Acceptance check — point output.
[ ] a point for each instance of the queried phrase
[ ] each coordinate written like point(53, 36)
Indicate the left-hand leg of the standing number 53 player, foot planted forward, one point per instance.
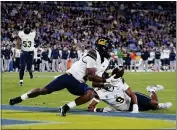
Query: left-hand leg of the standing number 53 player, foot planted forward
point(22, 66)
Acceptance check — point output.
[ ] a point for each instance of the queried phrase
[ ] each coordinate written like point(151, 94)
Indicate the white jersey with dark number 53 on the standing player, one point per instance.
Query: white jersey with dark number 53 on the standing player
point(27, 40)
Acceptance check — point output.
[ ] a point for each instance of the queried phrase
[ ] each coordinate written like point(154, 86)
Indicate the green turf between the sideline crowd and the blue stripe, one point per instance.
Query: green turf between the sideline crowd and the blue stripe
point(137, 81)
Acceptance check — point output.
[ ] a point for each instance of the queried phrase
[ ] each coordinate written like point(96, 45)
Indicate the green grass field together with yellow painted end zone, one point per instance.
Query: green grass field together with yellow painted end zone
point(50, 120)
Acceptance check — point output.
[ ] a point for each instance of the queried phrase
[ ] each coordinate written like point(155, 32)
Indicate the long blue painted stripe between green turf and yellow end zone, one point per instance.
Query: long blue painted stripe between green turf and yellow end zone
point(84, 112)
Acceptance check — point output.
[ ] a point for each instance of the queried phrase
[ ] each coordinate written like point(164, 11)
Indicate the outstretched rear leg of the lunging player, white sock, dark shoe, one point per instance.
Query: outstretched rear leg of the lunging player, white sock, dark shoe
point(57, 84)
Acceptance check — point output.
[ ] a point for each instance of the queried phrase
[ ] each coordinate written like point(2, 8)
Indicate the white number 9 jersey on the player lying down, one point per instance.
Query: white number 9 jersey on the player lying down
point(116, 98)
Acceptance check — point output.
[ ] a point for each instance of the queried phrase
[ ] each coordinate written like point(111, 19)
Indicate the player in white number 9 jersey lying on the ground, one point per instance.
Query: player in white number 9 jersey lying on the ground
point(119, 97)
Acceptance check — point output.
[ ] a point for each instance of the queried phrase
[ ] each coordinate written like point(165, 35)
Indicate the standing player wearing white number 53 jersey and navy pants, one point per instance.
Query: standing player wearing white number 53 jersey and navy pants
point(25, 39)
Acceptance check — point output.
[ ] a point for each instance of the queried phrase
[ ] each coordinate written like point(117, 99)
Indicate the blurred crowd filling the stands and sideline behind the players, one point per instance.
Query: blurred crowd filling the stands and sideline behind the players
point(134, 27)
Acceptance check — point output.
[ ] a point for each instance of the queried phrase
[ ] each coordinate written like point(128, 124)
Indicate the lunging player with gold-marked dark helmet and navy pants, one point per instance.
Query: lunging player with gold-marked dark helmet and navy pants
point(74, 79)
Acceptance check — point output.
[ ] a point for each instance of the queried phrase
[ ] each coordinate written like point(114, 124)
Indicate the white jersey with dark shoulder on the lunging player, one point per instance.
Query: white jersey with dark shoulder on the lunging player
point(78, 69)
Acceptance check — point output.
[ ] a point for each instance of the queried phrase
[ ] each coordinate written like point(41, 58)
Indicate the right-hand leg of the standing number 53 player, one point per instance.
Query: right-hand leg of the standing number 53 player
point(30, 63)
